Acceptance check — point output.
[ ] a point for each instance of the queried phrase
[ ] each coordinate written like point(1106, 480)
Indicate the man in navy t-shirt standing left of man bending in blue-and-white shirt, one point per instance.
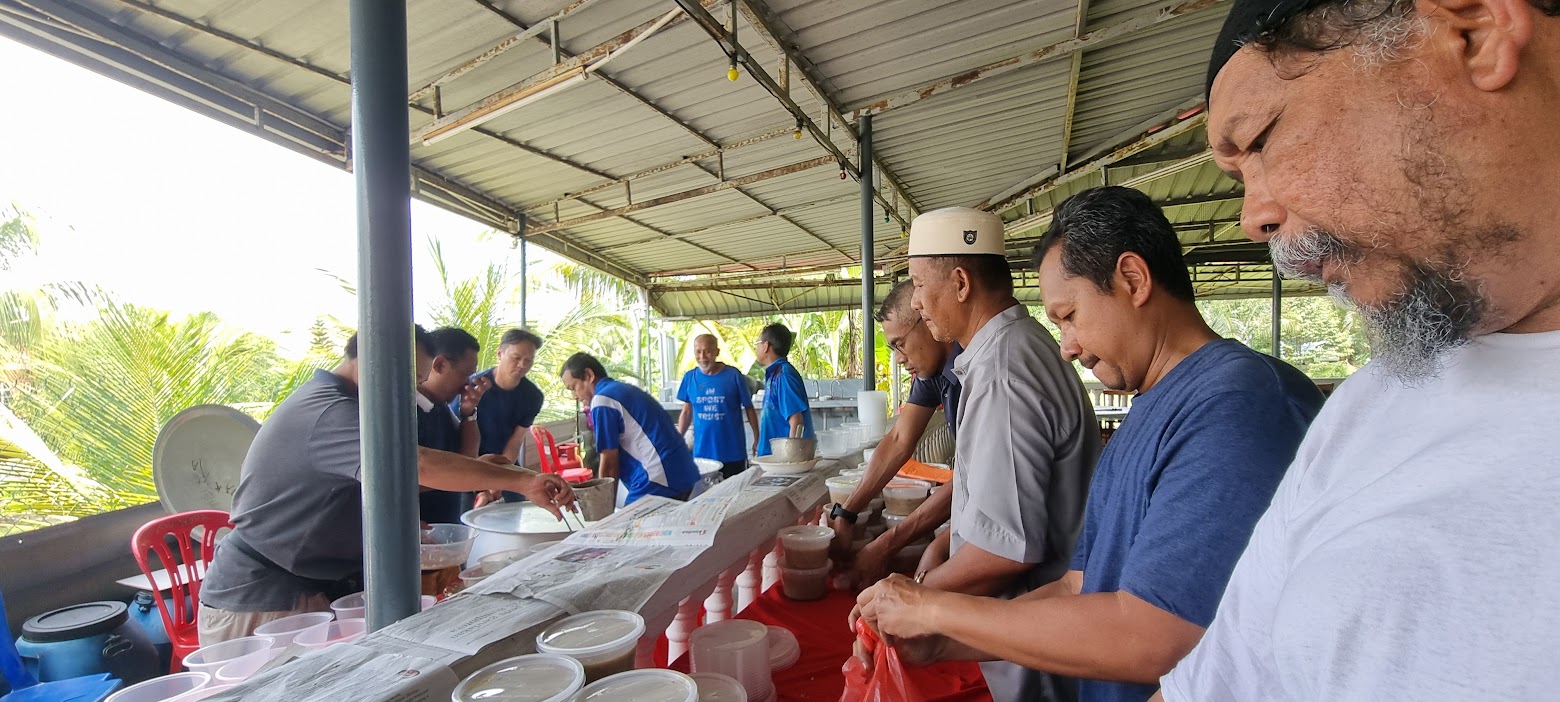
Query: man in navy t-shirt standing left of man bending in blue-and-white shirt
point(511, 403)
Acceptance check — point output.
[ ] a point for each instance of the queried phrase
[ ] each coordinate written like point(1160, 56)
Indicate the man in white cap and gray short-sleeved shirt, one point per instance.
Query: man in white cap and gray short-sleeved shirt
point(1027, 436)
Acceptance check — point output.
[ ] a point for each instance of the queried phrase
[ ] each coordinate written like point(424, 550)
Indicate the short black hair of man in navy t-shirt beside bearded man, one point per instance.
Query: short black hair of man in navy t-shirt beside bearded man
point(1096, 227)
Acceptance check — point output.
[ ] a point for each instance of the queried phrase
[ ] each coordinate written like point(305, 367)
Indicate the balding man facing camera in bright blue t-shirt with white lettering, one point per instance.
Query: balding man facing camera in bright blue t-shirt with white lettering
point(715, 399)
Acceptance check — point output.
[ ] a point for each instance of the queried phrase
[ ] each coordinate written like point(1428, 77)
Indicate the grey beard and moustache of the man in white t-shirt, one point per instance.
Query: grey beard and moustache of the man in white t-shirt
point(1414, 331)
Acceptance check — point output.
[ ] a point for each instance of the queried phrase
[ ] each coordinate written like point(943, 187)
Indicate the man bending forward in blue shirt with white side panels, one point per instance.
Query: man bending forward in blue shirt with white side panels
point(636, 438)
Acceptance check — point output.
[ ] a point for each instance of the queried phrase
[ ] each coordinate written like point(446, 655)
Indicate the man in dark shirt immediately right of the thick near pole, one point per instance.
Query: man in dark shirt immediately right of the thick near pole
point(447, 408)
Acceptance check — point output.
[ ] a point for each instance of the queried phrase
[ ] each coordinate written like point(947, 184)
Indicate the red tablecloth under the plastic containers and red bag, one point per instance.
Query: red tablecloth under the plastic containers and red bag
point(826, 645)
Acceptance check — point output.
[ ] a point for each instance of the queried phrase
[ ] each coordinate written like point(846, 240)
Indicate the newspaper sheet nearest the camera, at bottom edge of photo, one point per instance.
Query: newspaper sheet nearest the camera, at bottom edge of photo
point(349, 672)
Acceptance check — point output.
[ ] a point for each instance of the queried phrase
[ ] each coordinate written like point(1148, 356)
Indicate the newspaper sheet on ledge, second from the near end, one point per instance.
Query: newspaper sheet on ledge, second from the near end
point(470, 622)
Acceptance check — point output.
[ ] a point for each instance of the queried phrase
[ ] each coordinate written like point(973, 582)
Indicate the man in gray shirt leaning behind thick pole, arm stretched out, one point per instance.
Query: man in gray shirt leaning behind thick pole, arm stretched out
point(299, 512)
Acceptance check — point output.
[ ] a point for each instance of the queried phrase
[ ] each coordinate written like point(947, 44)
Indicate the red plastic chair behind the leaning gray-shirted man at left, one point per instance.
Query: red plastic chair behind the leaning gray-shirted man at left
point(183, 575)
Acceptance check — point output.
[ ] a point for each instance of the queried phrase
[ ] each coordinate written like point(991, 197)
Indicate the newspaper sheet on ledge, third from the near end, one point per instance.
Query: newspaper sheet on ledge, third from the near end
point(584, 578)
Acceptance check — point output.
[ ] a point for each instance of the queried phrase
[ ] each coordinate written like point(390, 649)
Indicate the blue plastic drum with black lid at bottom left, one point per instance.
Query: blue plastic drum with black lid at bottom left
point(85, 640)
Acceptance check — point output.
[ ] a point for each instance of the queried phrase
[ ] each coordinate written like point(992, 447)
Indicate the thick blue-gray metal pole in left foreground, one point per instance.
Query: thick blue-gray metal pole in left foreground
point(385, 308)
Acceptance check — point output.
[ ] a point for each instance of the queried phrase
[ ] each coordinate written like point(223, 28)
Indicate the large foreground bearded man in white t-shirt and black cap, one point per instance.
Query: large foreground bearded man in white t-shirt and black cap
point(1408, 155)
